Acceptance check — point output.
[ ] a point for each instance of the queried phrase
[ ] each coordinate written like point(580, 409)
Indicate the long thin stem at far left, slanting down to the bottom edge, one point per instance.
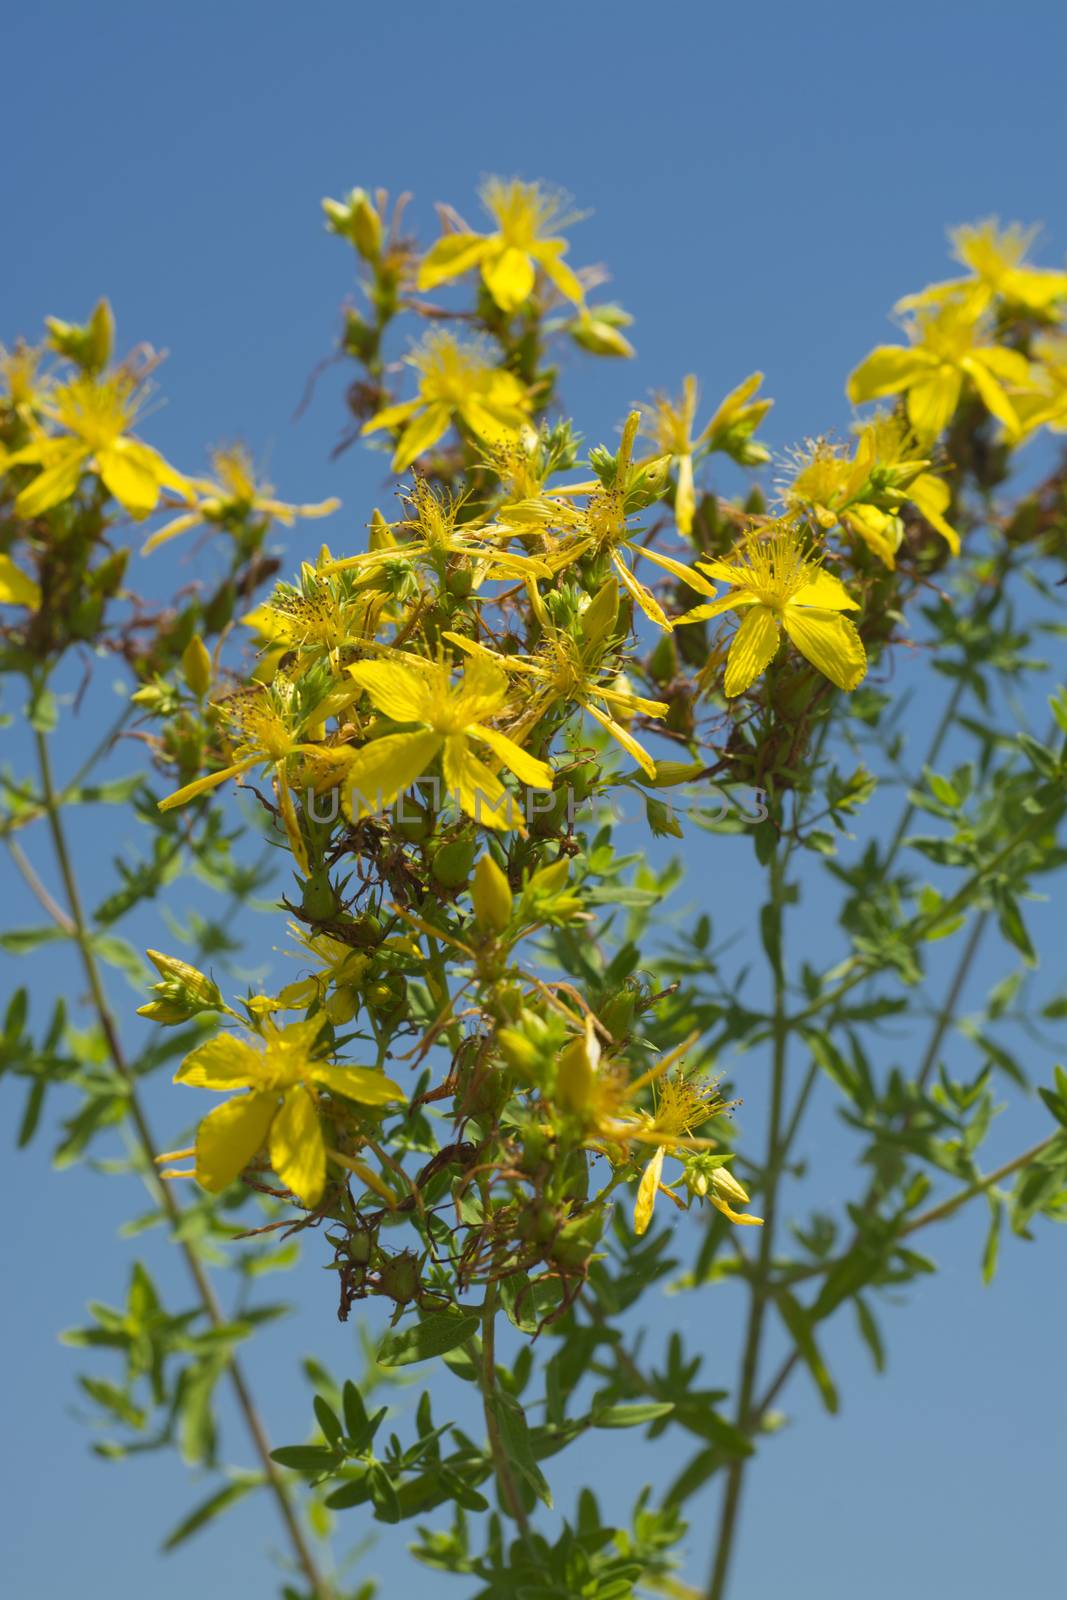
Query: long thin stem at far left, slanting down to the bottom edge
point(206, 1292)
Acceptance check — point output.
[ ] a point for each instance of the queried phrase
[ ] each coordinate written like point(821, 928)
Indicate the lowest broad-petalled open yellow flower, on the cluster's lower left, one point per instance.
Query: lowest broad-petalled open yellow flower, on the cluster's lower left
point(282, 1108)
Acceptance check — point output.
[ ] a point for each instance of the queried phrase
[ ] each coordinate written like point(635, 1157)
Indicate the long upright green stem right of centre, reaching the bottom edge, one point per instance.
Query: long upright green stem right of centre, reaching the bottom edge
point(762, 1271)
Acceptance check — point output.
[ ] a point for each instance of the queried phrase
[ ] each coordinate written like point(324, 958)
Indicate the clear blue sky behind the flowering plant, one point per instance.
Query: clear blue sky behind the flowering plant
point(764, 183)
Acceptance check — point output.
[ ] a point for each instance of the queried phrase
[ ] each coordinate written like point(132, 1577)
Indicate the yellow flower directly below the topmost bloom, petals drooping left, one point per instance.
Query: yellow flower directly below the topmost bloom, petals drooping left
point(457, 383)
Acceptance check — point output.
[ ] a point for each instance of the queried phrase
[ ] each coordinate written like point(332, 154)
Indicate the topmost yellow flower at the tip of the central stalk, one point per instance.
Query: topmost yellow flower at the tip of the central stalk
point(510, 258)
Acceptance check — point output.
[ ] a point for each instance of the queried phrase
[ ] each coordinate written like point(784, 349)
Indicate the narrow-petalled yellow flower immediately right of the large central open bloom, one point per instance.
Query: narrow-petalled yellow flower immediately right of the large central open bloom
point(569, 671)
